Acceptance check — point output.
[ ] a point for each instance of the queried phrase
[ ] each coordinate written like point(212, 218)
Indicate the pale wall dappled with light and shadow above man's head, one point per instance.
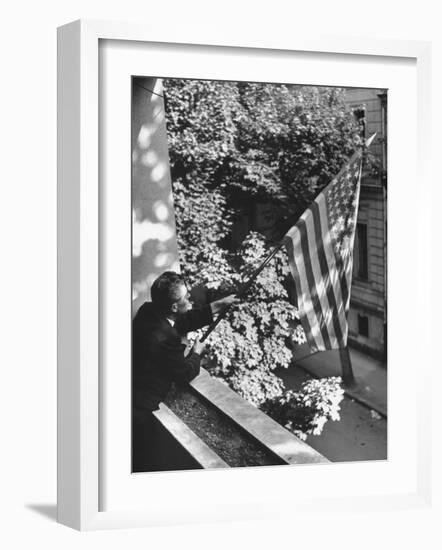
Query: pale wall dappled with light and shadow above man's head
point(154, 246)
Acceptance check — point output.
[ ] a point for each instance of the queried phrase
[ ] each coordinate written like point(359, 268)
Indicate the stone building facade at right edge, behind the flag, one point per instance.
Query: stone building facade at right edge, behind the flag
point(368, 306)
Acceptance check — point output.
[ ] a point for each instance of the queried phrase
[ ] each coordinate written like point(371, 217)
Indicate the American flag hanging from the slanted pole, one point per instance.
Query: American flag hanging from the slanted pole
point(320, 250)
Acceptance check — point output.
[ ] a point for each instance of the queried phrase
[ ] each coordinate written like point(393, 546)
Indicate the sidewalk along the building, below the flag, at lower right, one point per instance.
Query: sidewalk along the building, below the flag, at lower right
point(370, 374)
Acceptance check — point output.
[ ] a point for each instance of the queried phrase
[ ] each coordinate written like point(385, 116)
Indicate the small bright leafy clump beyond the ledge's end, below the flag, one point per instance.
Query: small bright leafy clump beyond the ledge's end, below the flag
point(305, 412)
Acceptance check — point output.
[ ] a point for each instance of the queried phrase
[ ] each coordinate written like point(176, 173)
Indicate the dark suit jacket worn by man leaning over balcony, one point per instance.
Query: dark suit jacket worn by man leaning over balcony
point(158, 353)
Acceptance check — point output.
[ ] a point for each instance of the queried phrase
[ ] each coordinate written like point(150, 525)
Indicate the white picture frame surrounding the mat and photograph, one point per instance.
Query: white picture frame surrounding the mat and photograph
point(80, 474)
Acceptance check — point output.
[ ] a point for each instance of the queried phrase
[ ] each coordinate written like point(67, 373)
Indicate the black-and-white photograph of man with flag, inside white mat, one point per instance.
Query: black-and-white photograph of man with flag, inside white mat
point(259, 274)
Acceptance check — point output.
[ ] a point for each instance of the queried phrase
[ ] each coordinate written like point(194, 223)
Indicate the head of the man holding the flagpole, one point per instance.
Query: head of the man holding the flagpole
point(169, 294)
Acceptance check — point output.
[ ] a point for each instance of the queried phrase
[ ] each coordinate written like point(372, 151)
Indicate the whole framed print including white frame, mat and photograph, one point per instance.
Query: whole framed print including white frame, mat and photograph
point(211, 162)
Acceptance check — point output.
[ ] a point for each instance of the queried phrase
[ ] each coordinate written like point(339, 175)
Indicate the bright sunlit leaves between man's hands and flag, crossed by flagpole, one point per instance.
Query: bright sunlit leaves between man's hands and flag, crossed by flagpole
point(251, 342)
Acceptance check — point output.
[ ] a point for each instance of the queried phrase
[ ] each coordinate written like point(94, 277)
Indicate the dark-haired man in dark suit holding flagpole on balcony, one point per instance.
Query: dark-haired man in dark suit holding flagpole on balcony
point(158, 354)
